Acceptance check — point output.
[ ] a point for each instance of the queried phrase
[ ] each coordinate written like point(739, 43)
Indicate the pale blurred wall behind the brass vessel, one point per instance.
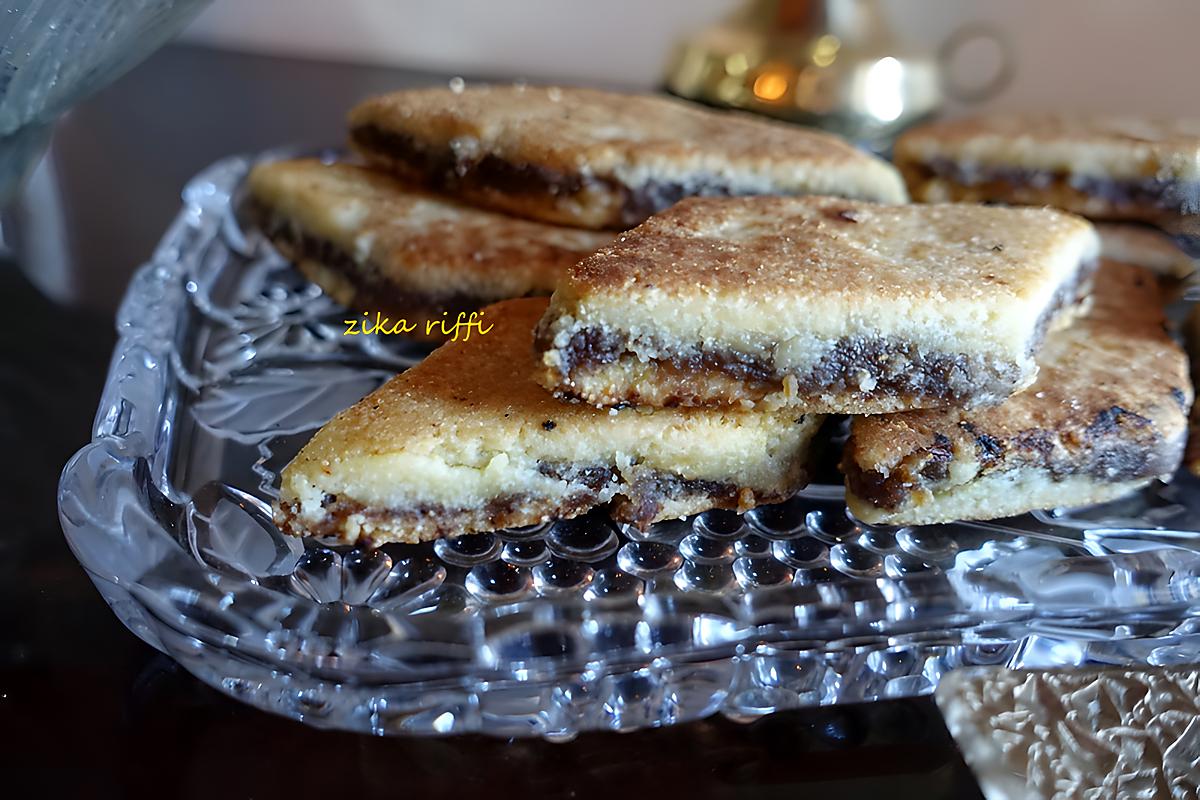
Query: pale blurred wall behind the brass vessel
point(1135, 56)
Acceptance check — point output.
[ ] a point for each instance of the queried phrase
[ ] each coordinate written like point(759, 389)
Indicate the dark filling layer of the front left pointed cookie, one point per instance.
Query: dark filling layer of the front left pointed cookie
point(638, 504)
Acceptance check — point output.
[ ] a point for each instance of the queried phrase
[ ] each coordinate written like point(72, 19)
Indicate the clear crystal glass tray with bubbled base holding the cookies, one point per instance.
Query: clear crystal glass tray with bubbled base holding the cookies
point(229, 362)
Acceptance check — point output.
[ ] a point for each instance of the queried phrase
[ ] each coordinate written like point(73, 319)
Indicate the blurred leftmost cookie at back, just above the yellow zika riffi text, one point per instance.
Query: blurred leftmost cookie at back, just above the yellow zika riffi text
point(376, 245)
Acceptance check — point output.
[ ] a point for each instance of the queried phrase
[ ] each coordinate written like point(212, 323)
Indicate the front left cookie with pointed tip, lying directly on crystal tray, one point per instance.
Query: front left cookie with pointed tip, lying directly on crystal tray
point(467, 442)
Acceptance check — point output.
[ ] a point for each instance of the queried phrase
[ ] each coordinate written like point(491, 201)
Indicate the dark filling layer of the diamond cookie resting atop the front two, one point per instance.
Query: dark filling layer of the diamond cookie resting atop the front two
point(898, 368)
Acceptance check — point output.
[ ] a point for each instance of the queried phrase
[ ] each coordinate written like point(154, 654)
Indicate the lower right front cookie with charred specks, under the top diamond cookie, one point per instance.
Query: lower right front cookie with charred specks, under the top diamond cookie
point(1107, 414)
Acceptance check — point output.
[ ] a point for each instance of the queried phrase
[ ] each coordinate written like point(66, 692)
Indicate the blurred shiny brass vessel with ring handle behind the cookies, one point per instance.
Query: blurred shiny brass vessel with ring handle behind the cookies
point(831, 64)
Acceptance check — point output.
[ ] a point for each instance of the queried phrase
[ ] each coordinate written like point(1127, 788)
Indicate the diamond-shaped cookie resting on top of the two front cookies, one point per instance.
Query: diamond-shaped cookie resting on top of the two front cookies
point(818, 303)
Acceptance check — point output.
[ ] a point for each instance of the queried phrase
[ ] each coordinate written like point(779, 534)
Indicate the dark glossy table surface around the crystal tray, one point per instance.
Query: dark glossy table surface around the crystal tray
point(88, 711)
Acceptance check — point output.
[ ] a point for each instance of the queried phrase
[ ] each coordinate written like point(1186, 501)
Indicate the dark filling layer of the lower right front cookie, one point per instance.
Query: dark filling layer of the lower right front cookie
point(1117, 447)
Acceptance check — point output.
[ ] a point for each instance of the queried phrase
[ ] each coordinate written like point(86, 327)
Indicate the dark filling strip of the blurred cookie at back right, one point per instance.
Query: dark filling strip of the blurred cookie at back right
point(1183, 197)
